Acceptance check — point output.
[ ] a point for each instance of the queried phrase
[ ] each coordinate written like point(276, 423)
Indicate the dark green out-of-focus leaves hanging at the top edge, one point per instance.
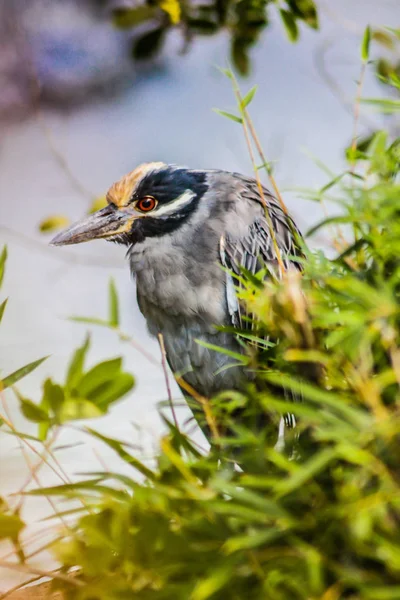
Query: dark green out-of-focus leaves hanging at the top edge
point(244, 20)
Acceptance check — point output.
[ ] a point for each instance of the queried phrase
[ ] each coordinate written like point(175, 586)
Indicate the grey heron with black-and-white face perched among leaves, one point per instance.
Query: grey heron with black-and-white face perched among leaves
point(189, 234)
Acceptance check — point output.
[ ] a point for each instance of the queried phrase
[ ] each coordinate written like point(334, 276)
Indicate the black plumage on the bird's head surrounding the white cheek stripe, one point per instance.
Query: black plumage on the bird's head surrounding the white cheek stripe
point(165, 186)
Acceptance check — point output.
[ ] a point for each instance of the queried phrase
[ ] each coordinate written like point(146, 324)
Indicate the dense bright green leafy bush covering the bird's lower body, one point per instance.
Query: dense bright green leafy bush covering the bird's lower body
point(314, 514)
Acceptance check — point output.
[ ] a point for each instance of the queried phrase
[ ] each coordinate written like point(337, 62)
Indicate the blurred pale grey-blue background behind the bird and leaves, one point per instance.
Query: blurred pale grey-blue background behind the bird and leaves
point(89, 90)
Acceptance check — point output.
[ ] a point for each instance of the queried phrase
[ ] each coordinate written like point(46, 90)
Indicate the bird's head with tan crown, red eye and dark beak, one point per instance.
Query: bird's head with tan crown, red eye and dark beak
point(153, 200)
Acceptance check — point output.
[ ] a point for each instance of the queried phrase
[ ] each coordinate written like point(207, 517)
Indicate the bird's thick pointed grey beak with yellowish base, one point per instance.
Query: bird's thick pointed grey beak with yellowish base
point(104, 223)
